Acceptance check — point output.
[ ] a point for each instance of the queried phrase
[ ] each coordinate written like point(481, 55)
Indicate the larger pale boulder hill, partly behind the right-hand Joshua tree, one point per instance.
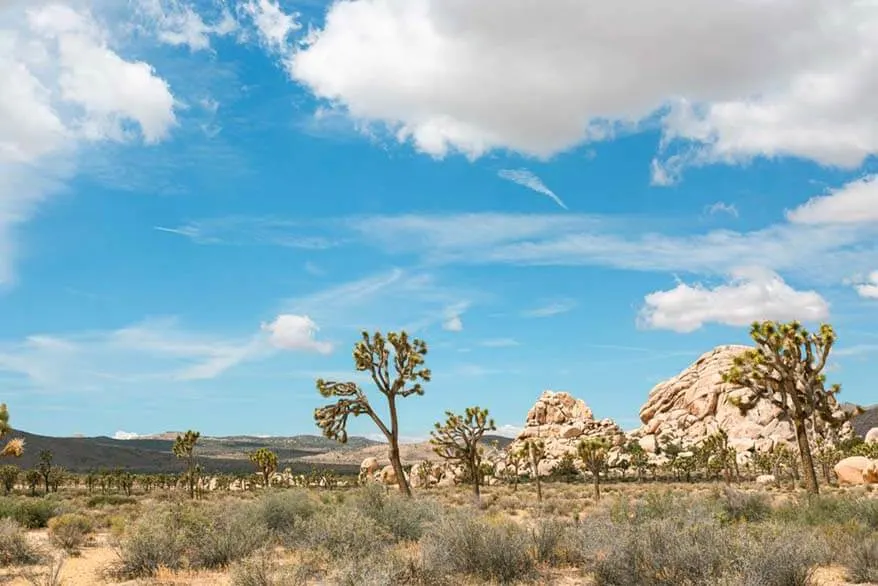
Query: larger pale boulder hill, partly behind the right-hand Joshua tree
point(697, 403)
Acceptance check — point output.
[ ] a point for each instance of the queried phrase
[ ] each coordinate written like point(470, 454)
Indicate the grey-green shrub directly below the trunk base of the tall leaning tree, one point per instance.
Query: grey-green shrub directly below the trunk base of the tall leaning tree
point(403, 518)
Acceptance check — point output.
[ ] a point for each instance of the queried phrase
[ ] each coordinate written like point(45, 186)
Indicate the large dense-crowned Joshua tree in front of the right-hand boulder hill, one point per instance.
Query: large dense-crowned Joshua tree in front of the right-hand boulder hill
point(786, 368)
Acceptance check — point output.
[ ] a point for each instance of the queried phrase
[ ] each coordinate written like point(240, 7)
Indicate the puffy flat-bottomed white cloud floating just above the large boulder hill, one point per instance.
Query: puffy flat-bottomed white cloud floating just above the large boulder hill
point(750, 295)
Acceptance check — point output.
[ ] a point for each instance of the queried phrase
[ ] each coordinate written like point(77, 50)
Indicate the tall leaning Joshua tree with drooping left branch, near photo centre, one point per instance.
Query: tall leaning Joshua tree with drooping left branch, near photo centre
point(375, 355)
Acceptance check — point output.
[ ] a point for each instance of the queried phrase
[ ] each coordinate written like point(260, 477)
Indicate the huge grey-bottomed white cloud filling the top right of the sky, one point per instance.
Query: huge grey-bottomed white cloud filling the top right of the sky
point(751, 79)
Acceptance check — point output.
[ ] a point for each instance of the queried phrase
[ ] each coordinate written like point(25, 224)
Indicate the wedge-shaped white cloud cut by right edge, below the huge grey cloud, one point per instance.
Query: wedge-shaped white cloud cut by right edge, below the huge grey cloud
point(854, 203)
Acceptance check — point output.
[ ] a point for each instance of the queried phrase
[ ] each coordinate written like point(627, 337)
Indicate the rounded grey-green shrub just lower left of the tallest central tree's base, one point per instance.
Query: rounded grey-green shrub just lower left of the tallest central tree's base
point(344, 532)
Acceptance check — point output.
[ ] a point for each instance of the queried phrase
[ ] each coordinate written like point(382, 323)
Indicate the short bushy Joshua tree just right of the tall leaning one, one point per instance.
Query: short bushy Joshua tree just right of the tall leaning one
point(457, 440)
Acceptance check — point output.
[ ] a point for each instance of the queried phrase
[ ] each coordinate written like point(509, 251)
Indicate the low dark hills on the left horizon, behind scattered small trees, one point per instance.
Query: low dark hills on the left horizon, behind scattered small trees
point(153, 454)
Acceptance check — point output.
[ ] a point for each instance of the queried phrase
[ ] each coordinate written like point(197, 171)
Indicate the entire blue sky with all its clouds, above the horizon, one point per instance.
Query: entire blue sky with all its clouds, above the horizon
point(203, 204)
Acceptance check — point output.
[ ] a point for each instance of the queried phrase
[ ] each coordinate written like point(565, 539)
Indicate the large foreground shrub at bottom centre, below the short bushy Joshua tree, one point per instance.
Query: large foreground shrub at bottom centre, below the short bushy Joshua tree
point(472, 545)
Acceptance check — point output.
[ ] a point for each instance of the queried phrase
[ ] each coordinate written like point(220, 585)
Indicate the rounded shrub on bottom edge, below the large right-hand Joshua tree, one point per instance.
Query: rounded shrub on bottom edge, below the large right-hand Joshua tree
point(780, 557)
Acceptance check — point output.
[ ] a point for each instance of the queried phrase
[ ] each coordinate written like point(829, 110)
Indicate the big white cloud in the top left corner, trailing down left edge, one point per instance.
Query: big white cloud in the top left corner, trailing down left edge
point(63, 86)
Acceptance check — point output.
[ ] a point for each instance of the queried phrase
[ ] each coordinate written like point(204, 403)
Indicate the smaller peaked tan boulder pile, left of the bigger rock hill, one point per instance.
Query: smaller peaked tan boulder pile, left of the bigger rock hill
point(561, 421)
